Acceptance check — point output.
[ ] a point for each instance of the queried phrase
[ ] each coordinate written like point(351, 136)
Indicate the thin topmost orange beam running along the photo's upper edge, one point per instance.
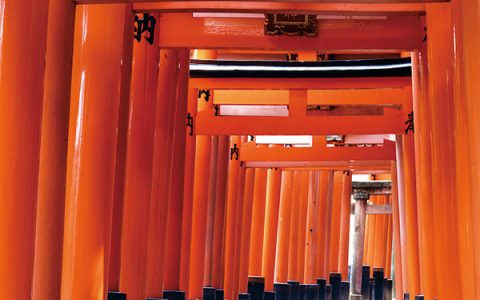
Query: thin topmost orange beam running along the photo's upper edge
point(278, 6)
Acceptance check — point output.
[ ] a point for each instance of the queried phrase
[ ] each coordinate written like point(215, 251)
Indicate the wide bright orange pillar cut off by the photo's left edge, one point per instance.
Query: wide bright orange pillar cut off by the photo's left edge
point(23, 36)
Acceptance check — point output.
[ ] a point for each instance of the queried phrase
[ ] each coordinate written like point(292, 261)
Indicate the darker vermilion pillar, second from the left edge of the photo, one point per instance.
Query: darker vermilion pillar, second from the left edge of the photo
point(53, 152)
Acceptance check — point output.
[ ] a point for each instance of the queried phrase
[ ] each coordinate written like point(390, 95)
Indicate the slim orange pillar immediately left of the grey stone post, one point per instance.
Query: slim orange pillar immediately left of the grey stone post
point(346, 204)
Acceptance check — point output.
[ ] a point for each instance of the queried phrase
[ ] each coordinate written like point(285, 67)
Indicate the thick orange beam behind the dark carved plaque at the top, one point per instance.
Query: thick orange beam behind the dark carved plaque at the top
point(214, 33)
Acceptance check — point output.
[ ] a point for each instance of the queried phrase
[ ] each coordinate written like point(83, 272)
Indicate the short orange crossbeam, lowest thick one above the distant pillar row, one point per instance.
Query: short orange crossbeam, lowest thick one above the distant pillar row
point(318, 152)
